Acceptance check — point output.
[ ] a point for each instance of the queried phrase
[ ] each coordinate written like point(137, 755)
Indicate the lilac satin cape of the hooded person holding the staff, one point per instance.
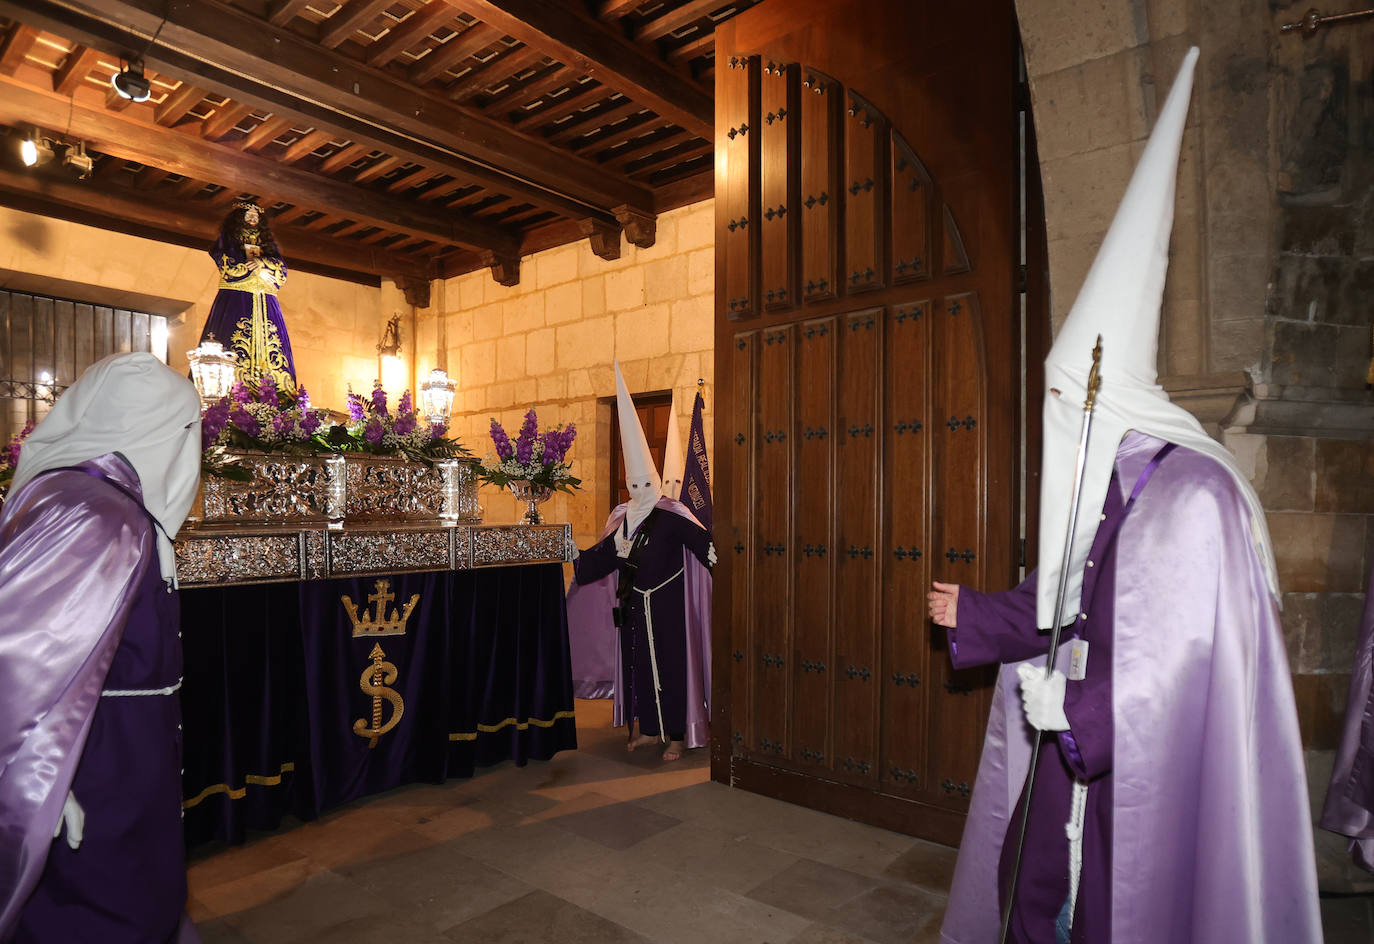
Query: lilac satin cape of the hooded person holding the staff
point(1210, 828)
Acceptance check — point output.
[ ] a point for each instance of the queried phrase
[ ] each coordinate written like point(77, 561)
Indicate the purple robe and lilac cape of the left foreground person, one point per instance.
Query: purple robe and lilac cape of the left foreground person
point(87, 612)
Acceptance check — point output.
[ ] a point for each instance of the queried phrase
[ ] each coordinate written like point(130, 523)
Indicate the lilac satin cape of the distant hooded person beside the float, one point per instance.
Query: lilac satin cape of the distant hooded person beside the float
point(596, 648)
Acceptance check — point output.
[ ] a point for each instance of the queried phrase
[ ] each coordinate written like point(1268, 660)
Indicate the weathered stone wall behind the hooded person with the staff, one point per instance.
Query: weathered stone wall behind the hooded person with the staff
point(1266, 328)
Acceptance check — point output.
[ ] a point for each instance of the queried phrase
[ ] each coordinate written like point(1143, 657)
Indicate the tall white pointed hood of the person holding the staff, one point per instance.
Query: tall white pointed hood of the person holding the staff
point(1120, 300)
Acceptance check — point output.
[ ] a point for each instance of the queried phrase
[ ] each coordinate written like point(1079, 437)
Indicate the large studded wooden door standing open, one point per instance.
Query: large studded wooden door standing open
point(869, 363)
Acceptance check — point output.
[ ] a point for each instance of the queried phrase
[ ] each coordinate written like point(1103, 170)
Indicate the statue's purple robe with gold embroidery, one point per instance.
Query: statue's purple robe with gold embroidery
point(247, 317)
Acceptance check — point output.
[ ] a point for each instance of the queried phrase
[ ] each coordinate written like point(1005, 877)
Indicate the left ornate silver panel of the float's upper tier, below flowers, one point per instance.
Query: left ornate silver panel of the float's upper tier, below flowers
point(289, 490)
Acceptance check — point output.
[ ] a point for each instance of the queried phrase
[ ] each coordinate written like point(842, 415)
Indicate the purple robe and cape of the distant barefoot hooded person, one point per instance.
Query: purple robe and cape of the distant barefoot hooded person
point(681, 620)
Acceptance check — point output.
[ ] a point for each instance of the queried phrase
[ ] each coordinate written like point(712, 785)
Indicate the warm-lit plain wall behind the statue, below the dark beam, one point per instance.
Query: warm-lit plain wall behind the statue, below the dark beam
point(335, 325)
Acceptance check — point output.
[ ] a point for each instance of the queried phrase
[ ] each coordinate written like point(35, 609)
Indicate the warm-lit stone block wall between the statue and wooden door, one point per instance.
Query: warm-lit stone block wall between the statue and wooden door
point(549, 343)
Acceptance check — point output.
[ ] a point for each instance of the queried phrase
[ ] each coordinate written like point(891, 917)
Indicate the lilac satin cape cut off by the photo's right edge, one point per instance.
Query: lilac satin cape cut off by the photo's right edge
point(1350, 799)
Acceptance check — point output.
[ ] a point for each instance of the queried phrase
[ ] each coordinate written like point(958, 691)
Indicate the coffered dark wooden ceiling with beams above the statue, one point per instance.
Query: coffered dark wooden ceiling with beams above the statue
point(409, 139)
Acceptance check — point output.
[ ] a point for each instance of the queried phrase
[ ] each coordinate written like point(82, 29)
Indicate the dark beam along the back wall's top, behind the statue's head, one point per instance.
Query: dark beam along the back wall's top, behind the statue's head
point(183, 223)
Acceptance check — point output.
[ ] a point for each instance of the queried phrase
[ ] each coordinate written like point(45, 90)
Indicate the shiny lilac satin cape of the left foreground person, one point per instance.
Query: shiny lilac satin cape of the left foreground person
point(72, 556)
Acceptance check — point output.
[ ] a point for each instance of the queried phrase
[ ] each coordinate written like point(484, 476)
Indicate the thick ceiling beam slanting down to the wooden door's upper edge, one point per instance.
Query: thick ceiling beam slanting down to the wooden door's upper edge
point(590, 49)
